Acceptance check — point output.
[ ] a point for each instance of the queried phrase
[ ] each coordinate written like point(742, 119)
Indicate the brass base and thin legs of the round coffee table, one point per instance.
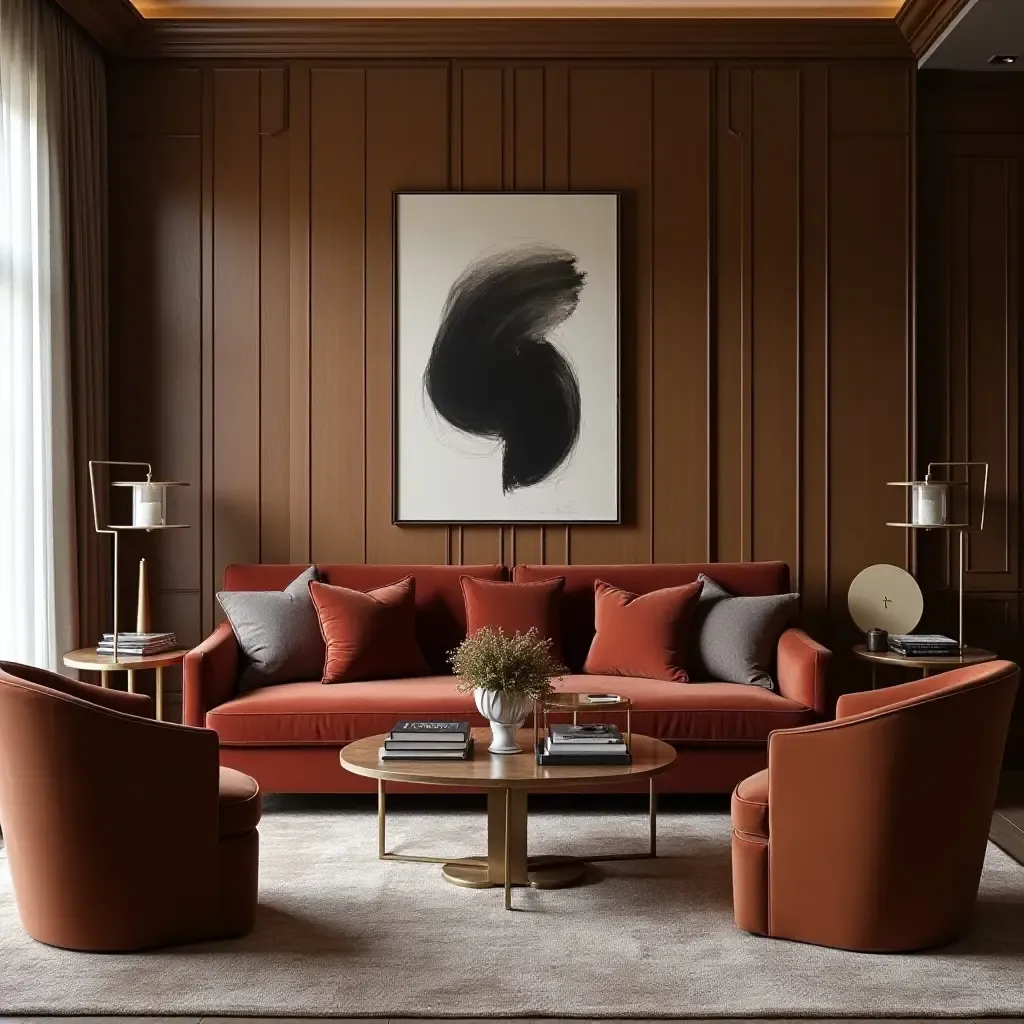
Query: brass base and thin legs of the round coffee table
point(506, 864)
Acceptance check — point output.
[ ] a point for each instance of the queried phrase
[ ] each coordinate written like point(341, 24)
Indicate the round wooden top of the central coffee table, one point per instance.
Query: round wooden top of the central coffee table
point(515, 772)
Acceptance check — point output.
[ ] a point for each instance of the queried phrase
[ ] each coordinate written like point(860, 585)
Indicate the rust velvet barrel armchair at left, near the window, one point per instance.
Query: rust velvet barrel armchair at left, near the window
point(122, 834)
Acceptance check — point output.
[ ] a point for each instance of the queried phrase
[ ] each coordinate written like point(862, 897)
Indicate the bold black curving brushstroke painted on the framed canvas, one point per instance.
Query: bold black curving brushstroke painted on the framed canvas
point(492, 371)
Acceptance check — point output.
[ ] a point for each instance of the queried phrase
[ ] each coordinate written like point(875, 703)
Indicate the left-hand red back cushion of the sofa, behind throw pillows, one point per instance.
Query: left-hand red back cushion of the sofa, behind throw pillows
point(441, 612)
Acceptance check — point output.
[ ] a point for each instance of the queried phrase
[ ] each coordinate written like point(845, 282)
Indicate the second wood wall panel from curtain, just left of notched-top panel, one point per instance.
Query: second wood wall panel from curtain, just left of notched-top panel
point(236, 284)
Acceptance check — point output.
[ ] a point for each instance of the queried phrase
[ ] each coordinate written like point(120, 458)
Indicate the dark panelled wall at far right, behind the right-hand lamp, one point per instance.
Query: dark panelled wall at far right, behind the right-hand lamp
point(972, 159)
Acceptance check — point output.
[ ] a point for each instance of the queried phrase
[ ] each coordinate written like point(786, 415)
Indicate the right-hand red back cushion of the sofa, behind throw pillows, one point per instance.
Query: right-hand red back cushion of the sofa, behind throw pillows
point(578, 599)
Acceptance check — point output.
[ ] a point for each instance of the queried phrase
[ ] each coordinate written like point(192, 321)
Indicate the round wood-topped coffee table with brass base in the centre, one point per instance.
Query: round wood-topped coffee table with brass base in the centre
point(507, 779)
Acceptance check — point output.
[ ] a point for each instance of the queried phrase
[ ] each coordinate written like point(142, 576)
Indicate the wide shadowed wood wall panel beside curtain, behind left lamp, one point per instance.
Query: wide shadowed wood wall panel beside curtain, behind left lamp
point(156, 326)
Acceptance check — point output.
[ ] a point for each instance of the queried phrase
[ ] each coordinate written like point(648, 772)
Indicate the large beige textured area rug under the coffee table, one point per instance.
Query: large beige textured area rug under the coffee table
point(340, 933)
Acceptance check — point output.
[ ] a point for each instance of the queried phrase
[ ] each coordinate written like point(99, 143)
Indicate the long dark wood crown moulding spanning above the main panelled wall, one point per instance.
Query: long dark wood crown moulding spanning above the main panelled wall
point(523, 38)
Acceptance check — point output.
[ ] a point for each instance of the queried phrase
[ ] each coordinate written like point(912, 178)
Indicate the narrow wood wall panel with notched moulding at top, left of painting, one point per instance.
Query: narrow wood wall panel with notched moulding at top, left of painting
point(275, 501)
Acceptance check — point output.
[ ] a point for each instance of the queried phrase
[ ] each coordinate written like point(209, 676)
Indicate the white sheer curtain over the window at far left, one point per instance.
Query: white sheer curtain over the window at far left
point(38, 585)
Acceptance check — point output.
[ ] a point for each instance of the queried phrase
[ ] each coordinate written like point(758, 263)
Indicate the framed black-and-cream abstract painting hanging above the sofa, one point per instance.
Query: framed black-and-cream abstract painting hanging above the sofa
point(506, 397)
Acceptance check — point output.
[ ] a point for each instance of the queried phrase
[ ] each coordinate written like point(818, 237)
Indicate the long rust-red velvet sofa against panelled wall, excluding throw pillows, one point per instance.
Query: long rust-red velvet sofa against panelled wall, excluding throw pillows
point(288, 737)
